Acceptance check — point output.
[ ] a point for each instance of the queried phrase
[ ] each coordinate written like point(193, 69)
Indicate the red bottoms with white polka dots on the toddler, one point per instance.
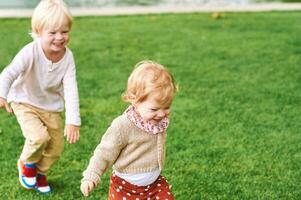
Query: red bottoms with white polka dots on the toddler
point(120, 189)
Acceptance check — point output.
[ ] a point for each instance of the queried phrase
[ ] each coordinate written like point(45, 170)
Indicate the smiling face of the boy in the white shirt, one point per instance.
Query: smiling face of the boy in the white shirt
point(54, 40)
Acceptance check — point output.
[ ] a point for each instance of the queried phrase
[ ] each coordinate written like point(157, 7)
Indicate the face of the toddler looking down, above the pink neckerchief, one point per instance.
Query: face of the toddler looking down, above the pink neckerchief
point(151, 111)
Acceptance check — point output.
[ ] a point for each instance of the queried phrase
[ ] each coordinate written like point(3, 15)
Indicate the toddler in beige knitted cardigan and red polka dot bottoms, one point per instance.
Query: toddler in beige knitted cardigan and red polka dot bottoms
point(135, 142)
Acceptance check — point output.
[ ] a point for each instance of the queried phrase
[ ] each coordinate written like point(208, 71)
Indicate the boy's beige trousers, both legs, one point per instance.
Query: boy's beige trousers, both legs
point(44, 140)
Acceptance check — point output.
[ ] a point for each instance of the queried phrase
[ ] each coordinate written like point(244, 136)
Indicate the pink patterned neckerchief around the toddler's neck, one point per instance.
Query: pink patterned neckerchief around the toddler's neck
point(147, 126)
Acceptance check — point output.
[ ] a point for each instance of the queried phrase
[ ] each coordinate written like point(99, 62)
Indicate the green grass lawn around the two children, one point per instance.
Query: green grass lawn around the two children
point(235, 131)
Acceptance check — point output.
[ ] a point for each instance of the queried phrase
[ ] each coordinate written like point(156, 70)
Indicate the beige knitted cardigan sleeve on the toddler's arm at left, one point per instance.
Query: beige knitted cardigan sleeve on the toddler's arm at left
point(105, 153)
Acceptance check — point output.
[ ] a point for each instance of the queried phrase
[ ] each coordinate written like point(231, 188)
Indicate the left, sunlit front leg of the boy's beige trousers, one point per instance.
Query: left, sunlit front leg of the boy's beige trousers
point(34, 131)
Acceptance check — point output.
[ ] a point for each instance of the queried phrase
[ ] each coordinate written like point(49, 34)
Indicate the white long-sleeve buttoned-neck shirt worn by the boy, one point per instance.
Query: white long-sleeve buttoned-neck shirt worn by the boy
point(32, 78)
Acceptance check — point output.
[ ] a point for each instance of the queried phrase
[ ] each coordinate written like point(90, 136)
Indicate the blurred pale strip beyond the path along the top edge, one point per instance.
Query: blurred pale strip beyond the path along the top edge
point(120, 3)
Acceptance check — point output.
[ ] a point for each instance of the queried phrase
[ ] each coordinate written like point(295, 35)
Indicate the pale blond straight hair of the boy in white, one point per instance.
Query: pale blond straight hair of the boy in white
point(53, 13)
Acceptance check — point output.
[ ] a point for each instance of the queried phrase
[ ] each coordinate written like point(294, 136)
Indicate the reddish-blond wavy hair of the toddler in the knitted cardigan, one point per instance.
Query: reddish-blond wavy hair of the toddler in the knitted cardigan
point(150, 79)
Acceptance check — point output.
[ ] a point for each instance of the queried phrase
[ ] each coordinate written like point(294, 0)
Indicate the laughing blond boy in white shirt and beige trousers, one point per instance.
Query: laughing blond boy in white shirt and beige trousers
point(39, 83)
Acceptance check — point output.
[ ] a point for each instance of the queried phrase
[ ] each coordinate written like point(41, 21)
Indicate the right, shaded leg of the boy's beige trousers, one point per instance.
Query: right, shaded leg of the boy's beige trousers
point(55, 146)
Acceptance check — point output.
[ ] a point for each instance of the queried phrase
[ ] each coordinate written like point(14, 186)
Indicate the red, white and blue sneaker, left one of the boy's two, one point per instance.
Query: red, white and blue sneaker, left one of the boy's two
point(27, 174)
